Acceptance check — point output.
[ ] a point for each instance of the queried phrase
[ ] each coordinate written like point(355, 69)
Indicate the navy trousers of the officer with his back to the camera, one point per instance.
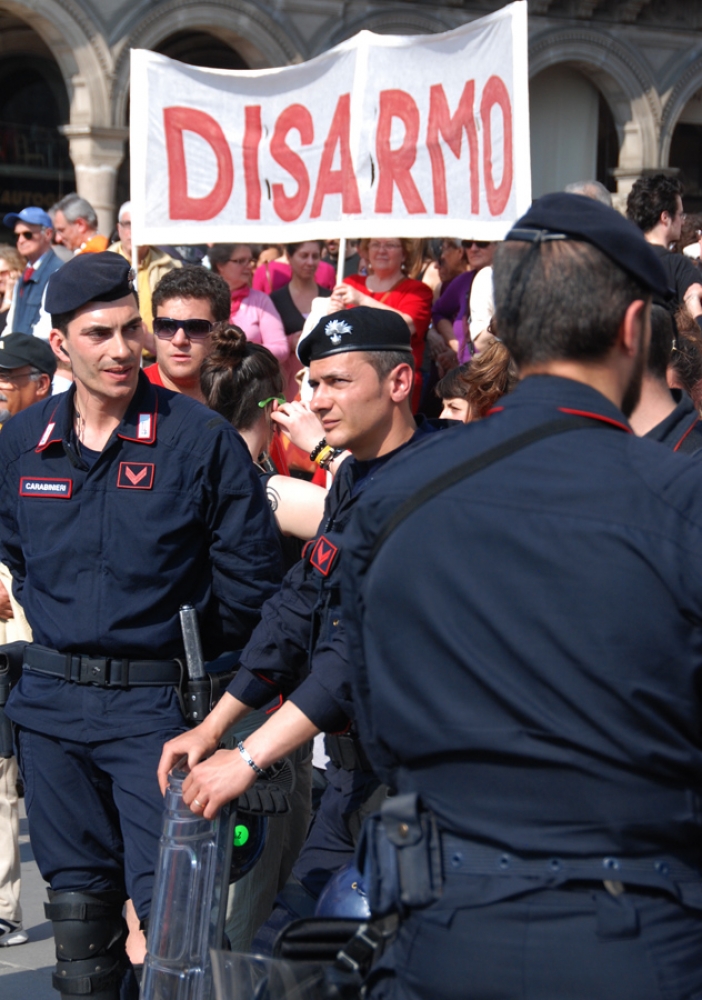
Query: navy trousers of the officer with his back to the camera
point(554, 944)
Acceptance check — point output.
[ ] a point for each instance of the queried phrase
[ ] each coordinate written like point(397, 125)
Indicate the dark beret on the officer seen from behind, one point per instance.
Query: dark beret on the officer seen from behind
point(575, 217)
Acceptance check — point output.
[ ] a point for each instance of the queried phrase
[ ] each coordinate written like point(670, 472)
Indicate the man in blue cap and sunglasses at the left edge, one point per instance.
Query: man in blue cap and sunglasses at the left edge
point(33, 234)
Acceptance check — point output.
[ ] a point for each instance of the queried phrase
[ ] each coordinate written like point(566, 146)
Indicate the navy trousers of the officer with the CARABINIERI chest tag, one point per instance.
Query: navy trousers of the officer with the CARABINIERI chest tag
point(95, 812)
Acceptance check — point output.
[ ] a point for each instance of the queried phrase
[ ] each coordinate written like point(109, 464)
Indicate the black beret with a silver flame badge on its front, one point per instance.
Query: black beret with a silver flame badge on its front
point(360, 329)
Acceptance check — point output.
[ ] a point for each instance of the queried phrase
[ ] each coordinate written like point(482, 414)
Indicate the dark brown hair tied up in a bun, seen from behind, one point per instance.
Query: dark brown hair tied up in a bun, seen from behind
point(237, 375)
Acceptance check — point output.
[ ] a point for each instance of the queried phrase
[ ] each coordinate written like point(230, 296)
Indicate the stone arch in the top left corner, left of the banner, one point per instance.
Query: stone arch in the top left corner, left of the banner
point(80, 51)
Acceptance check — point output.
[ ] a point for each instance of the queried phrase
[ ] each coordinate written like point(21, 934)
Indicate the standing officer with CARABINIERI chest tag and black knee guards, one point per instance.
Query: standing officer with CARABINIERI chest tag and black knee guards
point(120, 502)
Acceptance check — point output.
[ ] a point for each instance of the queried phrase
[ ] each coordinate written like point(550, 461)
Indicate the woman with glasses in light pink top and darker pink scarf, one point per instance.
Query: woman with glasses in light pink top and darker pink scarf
point(252, 310)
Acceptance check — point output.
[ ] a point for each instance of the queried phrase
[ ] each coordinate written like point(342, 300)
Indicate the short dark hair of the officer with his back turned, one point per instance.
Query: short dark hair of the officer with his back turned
point(566, 301)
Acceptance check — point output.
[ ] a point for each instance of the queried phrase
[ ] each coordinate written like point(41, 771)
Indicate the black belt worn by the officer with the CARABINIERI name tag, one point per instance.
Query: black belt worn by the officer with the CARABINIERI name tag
point(106, 672)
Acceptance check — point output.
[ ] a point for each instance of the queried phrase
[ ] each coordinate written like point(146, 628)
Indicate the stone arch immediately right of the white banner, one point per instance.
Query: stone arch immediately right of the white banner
point(626, 83)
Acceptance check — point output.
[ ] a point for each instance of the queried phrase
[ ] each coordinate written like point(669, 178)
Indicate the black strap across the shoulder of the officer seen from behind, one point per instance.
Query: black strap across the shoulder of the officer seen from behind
point(476, 464)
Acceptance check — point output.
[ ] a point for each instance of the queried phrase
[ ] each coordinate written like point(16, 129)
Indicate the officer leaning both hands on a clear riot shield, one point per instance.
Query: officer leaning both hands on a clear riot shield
point(361, 373)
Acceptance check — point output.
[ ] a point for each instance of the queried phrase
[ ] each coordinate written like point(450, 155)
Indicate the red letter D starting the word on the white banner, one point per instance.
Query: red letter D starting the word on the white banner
point(181, 206)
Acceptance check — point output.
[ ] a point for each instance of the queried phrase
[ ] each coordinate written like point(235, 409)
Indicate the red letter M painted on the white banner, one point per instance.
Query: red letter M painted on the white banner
point(450, 128)
